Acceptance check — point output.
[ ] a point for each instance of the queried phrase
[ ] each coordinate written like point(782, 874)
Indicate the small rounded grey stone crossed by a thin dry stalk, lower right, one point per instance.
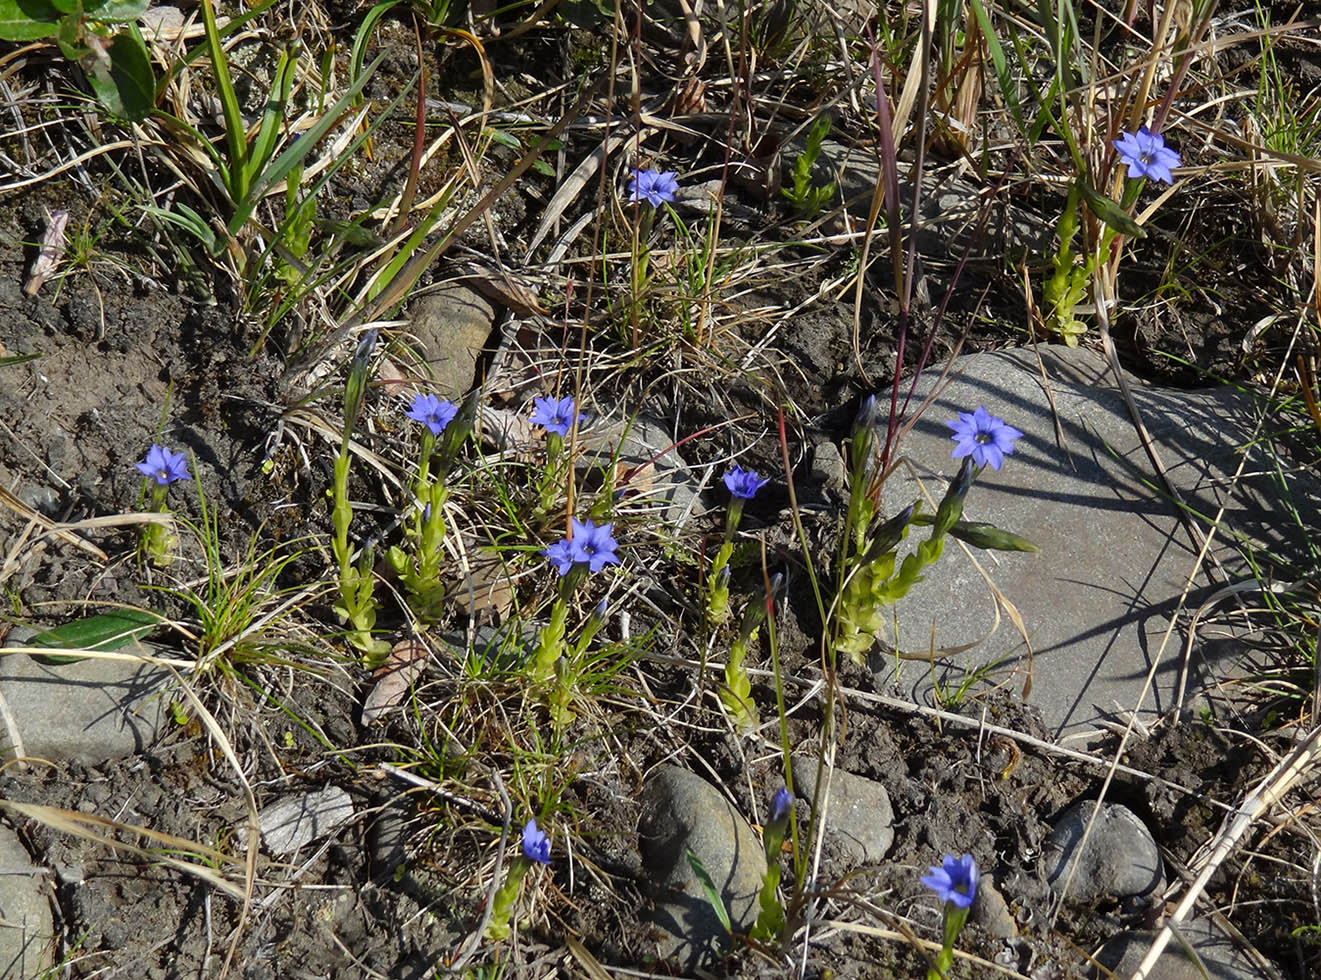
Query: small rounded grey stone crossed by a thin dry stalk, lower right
point(1120, 859)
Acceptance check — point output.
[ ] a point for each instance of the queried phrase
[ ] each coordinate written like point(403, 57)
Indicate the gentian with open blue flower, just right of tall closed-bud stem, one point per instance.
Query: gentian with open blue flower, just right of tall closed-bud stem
point(425, 532)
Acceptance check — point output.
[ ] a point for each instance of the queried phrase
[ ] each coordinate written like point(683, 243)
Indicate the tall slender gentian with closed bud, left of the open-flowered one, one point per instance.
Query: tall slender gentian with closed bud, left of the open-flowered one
point(357, 606)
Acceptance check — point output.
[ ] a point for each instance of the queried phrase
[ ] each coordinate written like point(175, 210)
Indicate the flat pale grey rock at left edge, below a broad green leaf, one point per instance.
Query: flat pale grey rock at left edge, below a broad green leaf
point(90, 713)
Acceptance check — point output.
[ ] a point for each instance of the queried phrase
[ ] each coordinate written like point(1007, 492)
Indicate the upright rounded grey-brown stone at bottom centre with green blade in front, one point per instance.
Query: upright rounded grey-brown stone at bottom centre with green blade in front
point(682, 812)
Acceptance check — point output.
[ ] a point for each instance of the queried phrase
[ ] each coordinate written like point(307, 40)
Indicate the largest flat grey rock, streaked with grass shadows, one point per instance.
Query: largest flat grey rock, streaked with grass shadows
point(1114, 558)
